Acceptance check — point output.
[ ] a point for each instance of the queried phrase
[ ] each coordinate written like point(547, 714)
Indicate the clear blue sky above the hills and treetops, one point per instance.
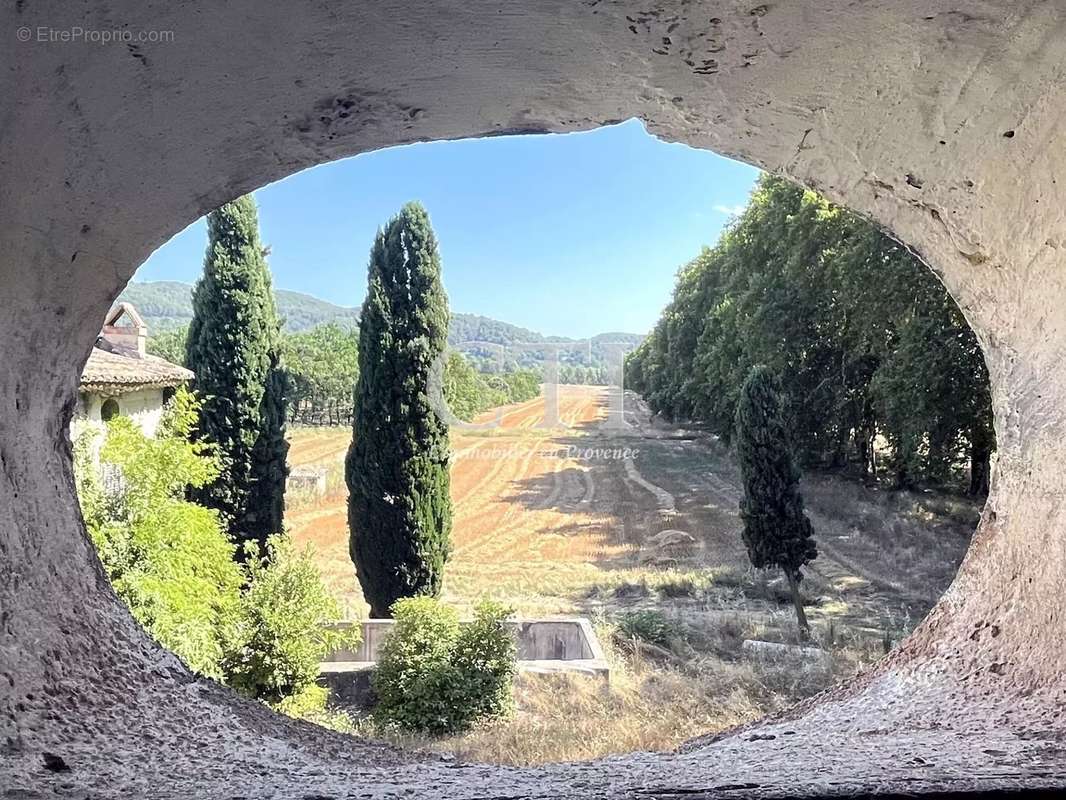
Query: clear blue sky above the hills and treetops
point(571, 235)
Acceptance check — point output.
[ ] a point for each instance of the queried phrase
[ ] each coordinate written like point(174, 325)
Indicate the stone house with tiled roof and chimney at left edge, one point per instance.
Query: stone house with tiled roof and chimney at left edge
point(122, 378)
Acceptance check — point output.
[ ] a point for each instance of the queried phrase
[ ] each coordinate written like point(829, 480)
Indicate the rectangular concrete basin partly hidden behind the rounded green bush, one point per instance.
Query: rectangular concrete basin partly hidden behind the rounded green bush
point(547, 646)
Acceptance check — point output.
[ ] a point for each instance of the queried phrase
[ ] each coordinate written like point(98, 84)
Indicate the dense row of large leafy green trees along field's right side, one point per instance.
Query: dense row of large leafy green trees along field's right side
point(879, 367)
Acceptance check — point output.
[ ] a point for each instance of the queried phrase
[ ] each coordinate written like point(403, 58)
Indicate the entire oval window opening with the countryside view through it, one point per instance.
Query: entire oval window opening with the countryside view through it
point(715, 445)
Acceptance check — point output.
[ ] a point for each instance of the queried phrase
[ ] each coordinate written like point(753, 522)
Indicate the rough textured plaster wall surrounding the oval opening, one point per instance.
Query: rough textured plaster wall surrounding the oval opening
point(943, 121)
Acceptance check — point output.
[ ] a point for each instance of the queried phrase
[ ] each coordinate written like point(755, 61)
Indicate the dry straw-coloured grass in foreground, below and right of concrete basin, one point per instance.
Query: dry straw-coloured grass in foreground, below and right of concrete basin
point(649, 706)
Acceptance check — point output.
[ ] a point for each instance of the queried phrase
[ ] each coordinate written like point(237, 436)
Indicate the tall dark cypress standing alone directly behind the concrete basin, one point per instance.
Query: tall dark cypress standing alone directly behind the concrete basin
point(400, 513)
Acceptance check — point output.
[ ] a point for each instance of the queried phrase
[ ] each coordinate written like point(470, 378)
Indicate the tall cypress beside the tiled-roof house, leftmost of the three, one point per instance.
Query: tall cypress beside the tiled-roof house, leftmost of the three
point(234, 347)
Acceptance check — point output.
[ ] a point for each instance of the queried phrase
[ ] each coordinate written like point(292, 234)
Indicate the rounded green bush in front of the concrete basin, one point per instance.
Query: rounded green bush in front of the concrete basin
point(438, 677)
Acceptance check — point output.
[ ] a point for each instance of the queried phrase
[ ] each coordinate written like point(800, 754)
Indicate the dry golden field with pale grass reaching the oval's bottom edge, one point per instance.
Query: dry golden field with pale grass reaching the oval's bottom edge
point(583, 519)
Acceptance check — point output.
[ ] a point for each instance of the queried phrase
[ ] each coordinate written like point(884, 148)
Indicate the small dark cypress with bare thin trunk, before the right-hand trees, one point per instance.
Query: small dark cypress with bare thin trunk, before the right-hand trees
point(777, 530)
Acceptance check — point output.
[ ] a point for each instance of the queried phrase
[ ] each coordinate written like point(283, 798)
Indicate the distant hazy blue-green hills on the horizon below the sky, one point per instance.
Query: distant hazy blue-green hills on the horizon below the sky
point(168, 305)
